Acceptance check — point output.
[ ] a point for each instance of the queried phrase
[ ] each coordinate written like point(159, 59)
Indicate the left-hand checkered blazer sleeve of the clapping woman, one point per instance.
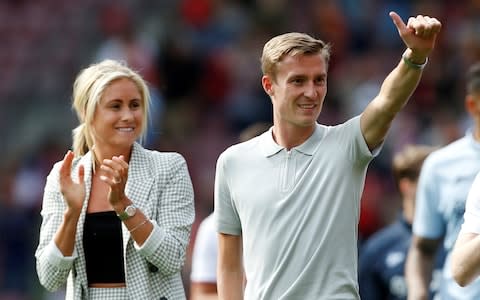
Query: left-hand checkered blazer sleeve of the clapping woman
point(52, 269)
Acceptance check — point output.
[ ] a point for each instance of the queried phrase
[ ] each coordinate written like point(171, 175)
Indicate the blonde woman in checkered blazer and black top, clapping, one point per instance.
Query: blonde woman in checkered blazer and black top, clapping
point(116, 217)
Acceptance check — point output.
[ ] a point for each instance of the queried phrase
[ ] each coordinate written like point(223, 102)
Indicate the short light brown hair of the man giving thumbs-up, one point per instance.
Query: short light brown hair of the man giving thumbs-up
point(293, 43)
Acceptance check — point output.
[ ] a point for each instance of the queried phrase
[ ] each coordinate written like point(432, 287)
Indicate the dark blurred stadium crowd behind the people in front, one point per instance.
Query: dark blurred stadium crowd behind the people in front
point(201, 58)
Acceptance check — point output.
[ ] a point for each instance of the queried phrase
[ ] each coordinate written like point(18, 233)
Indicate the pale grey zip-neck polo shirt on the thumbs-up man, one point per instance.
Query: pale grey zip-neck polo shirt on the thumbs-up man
point(297, 211)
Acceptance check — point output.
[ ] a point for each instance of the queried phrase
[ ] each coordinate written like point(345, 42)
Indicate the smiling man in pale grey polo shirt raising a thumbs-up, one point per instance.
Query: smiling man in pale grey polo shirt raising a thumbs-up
point(288, 200)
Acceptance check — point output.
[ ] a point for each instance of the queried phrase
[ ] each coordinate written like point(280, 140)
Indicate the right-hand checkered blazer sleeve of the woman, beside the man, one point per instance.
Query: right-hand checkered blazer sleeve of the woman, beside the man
point(166, 246)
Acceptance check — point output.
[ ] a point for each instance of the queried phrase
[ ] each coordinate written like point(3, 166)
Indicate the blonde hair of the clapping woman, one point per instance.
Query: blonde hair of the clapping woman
point(88, 89)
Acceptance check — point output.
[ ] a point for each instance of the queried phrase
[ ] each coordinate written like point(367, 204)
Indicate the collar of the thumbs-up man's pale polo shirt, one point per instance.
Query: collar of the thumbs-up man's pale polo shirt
point(270, 147)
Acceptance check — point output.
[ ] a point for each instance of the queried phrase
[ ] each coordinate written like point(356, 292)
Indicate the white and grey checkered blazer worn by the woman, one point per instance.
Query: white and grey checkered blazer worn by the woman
point(159, 184)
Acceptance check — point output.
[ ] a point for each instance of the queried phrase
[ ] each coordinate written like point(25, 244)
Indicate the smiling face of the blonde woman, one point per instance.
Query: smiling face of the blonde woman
point(119, 116)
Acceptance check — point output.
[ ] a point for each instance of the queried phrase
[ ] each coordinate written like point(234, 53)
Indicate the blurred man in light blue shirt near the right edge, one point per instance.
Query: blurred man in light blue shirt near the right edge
point(443, 186)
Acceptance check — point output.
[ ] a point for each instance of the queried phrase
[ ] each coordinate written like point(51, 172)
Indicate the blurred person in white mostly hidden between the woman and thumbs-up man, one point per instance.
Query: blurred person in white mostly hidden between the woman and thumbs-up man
point(203, 277)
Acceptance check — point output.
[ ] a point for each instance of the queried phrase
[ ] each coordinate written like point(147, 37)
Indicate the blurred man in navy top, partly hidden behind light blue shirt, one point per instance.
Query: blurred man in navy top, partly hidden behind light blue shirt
point(382, 258)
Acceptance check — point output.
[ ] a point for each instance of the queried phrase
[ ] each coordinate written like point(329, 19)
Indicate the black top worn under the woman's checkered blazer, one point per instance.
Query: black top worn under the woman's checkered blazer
point(103, 247)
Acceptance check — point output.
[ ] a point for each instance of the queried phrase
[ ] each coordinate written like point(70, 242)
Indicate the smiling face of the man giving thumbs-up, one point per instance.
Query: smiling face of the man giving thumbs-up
point(298, 90)
